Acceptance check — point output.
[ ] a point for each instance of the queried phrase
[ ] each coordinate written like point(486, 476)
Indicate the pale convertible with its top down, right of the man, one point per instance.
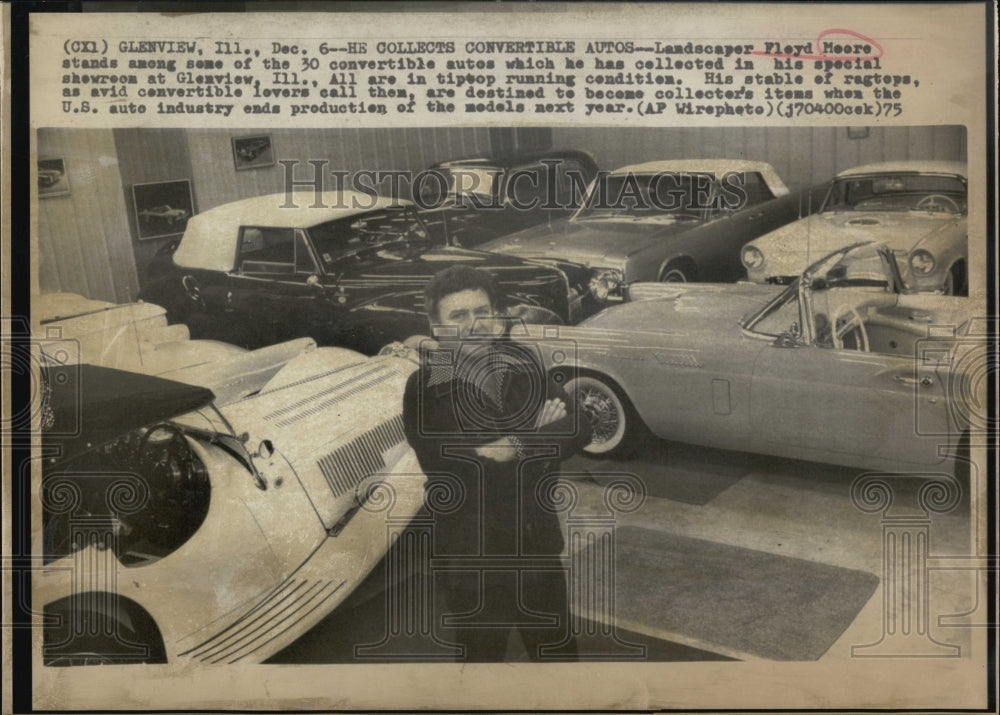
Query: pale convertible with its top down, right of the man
point(838, 367)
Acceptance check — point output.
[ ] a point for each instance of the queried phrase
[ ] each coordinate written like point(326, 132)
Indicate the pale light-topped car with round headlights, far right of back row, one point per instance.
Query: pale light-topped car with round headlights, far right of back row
point(917, 208)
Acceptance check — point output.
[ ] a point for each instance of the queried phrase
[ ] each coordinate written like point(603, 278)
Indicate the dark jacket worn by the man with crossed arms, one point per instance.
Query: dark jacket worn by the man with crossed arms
point(450, 407)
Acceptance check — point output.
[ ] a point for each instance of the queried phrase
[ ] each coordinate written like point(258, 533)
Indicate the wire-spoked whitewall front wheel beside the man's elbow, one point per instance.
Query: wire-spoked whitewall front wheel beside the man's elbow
point(614, 420)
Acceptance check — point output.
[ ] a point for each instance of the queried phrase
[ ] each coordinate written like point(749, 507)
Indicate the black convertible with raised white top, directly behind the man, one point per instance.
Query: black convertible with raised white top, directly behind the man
point(346, 269)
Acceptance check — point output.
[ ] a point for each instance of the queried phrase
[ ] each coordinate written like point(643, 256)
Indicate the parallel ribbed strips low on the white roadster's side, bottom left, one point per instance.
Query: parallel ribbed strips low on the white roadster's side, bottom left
point(279, 611)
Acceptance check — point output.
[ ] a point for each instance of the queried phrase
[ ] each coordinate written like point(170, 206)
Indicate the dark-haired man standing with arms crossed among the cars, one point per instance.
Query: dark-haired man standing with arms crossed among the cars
point(490, 426)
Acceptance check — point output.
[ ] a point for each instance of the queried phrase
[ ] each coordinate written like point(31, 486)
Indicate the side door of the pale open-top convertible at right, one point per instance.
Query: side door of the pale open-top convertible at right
point(843, 406)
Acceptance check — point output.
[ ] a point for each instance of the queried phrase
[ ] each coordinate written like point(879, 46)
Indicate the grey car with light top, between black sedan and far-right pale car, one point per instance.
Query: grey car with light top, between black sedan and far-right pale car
point(677, 220)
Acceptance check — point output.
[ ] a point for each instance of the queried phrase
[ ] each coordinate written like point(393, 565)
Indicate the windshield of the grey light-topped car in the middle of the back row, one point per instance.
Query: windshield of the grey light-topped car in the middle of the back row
point(657, 197)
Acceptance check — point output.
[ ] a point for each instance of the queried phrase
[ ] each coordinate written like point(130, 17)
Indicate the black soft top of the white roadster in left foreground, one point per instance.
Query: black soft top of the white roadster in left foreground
point(85, 406)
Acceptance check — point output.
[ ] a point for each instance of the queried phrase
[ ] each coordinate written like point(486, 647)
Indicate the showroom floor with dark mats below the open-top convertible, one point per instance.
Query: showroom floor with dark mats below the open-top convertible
point(733, 555)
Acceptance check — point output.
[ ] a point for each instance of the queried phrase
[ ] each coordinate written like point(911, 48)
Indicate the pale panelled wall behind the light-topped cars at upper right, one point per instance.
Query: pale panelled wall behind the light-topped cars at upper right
point(802, 156)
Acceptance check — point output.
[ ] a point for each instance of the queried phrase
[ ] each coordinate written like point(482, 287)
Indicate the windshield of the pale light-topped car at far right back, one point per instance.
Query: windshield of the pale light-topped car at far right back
point(898, 192)
